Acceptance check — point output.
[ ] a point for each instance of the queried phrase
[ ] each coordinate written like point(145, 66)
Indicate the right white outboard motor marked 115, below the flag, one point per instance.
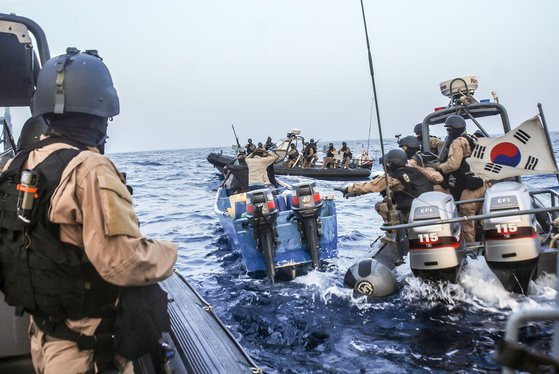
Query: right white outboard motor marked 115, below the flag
point(512, 245)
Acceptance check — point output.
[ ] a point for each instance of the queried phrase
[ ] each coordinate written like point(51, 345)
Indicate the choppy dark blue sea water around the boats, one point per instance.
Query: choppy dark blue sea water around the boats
point(313, 324)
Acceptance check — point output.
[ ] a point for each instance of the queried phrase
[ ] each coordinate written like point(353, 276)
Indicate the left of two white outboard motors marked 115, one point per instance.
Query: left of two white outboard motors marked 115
point(436, 250)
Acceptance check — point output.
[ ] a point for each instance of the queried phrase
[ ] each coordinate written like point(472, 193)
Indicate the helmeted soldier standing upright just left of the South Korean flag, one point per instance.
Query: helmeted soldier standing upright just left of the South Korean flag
point(453, 163)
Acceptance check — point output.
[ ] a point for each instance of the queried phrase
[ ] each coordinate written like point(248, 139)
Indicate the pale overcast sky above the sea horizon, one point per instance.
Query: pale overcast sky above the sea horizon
point(186, 70)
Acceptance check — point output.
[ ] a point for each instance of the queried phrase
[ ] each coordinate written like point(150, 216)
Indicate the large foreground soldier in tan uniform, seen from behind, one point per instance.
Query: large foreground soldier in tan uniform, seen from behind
point(86, 245)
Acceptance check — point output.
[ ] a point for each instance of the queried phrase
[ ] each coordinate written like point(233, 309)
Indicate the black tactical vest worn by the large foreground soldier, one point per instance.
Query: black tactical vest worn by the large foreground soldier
point(39, 274)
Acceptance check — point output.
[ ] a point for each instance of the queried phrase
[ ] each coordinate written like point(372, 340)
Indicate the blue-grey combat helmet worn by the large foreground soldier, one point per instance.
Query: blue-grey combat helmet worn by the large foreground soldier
point(76, 82)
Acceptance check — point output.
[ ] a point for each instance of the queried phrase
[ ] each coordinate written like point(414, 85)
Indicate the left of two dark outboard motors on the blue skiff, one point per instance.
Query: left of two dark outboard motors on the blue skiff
point(262, 215)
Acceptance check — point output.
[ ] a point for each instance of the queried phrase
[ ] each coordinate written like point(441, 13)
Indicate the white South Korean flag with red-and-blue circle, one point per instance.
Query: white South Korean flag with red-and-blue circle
point(521, 151)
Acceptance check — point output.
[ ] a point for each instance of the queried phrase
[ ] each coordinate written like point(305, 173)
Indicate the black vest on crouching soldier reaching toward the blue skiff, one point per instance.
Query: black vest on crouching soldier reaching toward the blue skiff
point(414, 184)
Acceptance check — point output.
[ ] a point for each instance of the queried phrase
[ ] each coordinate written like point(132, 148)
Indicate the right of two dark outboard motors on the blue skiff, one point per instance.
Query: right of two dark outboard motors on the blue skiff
point(306, 204)
